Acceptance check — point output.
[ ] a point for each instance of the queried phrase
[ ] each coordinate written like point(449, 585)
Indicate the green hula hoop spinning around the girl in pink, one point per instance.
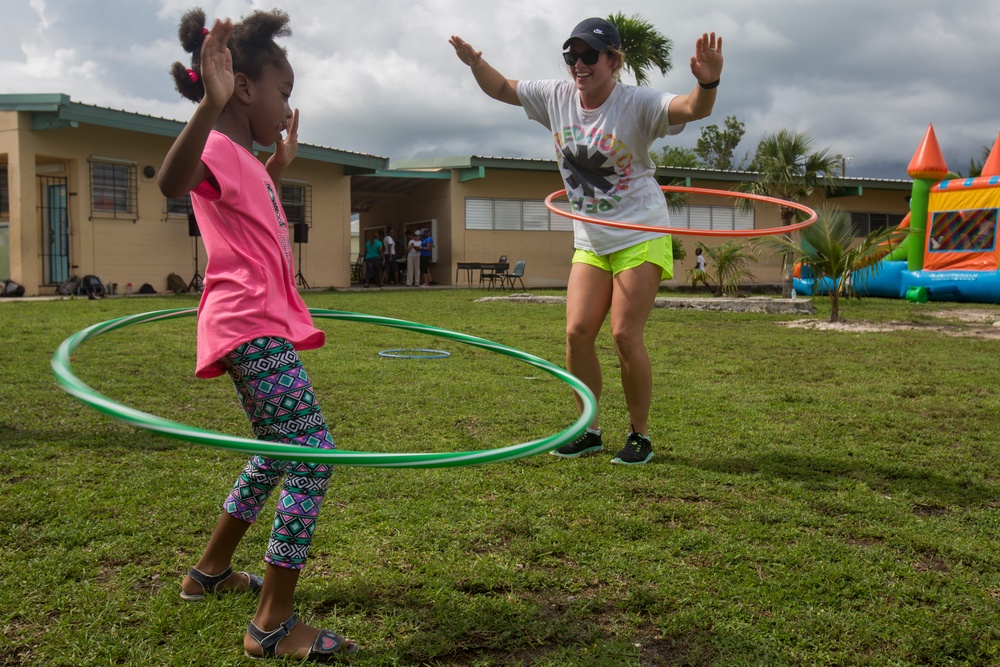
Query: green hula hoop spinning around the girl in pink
point(73, 385)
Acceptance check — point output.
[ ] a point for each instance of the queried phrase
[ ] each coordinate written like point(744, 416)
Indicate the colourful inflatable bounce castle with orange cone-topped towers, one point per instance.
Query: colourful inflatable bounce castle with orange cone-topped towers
point(950, 252)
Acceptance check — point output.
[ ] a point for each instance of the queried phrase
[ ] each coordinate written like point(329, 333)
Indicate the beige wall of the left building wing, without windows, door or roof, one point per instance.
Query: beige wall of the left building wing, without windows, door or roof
point(147, 249)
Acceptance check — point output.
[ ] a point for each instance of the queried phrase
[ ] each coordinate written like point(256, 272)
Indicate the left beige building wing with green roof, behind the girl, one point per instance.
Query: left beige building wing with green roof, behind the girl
point(78, 196)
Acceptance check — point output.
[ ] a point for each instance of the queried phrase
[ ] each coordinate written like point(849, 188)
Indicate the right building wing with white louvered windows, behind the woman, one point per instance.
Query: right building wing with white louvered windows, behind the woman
point(480, 208)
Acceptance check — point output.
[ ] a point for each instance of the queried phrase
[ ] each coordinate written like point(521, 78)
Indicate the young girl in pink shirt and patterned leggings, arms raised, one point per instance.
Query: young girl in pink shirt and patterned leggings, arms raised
point(251, 319)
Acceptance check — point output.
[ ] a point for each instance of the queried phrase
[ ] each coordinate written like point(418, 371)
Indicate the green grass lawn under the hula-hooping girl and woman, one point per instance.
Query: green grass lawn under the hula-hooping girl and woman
point(816, 497)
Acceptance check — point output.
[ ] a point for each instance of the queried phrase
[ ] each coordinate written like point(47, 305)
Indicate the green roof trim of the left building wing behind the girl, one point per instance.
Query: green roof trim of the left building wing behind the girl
point(51, 111)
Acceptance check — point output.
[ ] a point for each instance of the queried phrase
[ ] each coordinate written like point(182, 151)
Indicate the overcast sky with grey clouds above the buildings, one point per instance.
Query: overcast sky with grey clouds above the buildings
point(863, 78)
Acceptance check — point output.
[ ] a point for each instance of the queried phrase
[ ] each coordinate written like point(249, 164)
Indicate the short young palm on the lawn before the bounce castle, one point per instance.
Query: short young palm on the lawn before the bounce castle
point(826, 248)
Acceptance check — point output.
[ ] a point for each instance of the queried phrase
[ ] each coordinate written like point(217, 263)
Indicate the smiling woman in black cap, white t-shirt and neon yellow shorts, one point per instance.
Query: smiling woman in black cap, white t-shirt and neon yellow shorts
point(603, 130)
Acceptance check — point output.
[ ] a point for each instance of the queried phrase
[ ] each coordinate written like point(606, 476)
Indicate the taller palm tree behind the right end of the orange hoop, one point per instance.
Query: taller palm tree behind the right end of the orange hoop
point(788, 169)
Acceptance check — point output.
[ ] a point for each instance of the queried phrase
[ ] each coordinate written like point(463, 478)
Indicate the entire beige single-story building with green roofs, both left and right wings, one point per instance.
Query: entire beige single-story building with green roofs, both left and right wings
point(78, 196)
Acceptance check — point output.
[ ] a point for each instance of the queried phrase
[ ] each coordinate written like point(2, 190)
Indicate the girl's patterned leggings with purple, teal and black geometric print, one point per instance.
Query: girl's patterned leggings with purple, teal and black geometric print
point(278, 398)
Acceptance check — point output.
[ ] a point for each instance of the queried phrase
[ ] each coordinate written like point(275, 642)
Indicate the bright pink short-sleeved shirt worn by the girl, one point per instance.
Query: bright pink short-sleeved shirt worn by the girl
point(249, 278)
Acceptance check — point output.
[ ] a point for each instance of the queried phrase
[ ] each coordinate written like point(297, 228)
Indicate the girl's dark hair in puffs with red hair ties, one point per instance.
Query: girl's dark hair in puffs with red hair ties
point(252, 46)
